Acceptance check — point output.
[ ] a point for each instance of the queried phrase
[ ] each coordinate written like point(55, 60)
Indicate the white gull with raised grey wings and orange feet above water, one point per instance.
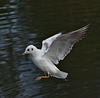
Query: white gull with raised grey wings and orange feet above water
point(53, 50)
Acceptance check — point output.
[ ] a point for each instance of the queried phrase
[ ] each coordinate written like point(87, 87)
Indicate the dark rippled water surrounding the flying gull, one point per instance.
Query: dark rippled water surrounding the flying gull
point(24, 22)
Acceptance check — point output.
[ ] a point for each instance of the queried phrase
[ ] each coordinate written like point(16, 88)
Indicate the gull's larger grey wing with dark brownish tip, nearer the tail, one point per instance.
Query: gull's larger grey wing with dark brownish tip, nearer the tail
point(63, 44)
